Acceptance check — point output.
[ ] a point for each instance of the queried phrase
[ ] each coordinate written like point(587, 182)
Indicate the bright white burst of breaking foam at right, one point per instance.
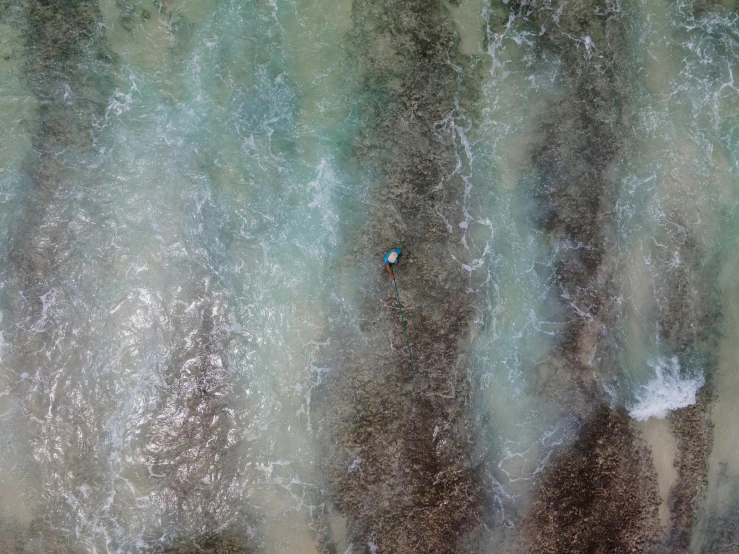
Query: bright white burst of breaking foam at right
point(667, 391)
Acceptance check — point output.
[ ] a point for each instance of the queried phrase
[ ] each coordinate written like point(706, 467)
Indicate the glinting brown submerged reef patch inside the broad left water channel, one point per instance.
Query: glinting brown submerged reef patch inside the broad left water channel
point(186, 443)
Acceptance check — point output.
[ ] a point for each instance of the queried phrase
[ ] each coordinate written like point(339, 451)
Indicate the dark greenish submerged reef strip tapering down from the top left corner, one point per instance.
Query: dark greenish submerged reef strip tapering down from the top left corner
point(68, 67)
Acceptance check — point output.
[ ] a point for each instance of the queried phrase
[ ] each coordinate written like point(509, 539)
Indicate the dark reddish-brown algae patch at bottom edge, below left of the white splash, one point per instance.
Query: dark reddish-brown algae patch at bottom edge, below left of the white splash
point(599, 495)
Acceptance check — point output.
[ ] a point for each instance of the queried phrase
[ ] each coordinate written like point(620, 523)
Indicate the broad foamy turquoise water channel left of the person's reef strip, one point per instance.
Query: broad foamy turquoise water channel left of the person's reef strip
point(222, 193)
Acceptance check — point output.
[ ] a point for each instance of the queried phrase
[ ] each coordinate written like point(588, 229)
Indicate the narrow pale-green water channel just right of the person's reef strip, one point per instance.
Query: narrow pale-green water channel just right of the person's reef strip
point(508, 268)
